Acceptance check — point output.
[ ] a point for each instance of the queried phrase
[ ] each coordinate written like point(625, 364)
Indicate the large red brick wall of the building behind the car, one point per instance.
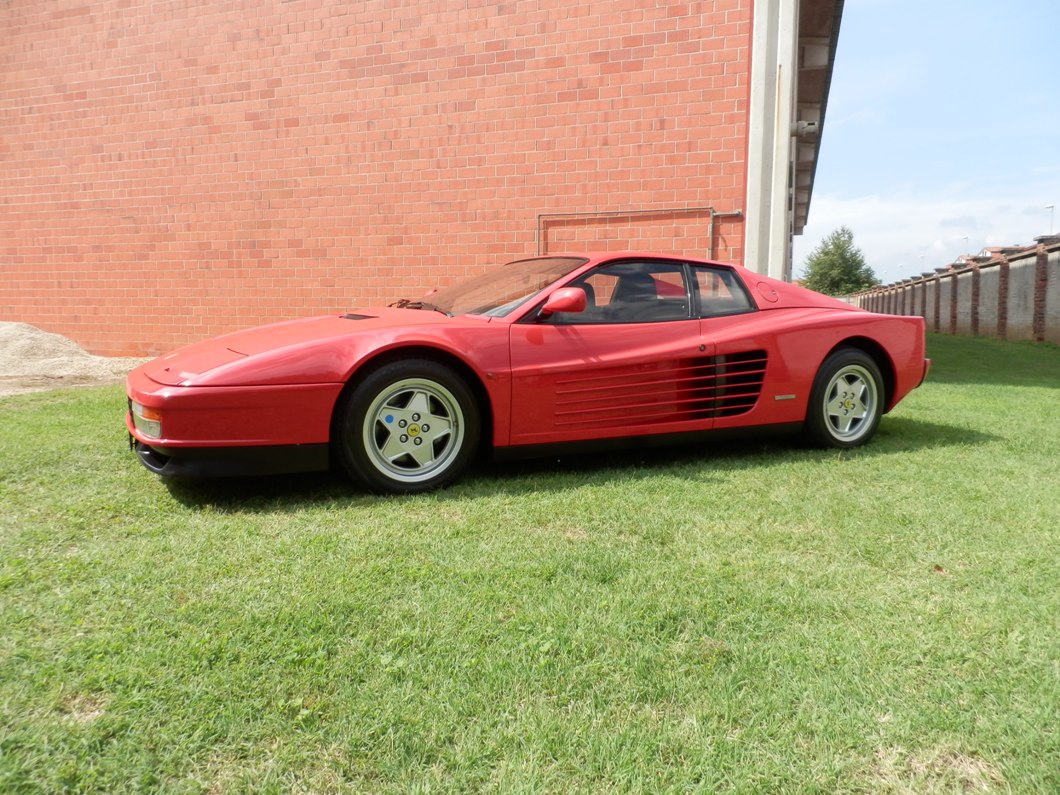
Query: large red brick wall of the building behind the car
point(173, 170)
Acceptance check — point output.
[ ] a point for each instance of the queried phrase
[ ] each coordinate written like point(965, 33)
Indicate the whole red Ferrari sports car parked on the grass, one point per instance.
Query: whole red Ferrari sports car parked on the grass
point(553, 352)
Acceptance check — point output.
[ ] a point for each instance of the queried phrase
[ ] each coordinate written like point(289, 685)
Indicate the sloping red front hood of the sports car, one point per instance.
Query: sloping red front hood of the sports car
point(305, 351)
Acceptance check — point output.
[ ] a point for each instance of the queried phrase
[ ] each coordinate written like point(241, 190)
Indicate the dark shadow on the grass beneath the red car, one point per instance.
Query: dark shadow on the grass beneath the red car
point(700, 463)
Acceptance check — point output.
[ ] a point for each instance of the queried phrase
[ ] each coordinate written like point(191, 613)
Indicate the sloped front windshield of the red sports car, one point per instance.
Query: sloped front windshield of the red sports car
point(498, 293)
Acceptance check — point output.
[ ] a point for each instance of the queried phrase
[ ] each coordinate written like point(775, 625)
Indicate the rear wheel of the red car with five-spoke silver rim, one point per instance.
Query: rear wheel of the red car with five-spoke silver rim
point(846, 401)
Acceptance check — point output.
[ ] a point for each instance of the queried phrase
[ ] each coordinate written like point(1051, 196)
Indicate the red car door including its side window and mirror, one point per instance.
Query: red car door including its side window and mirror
point(628, 365)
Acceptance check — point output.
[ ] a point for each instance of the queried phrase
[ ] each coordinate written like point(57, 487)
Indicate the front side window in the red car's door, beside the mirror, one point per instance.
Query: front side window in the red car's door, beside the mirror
point(632, 293)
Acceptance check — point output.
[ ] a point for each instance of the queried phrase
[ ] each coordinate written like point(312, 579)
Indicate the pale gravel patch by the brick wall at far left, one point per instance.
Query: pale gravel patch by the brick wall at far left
point(33, 361)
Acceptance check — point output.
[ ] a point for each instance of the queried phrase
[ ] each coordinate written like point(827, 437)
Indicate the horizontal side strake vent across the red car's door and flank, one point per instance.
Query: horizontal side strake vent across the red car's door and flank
point(664, 393)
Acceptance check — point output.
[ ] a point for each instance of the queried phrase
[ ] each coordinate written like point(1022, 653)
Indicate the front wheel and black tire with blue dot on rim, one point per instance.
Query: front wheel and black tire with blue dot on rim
point(410, 427)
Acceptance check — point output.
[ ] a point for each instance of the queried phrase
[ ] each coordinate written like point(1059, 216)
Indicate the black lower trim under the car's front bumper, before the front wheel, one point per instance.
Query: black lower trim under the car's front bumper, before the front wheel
point(233, 462)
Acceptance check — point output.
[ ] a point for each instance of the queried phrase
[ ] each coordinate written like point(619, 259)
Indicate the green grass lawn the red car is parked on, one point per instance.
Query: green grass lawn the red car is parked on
point(747, 617)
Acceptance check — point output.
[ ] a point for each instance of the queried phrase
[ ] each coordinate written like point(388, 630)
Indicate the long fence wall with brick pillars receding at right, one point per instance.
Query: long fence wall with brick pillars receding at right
point(1012, 298)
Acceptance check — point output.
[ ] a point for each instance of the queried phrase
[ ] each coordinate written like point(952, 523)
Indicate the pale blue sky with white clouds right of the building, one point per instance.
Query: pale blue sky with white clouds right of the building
point(943, 133)
